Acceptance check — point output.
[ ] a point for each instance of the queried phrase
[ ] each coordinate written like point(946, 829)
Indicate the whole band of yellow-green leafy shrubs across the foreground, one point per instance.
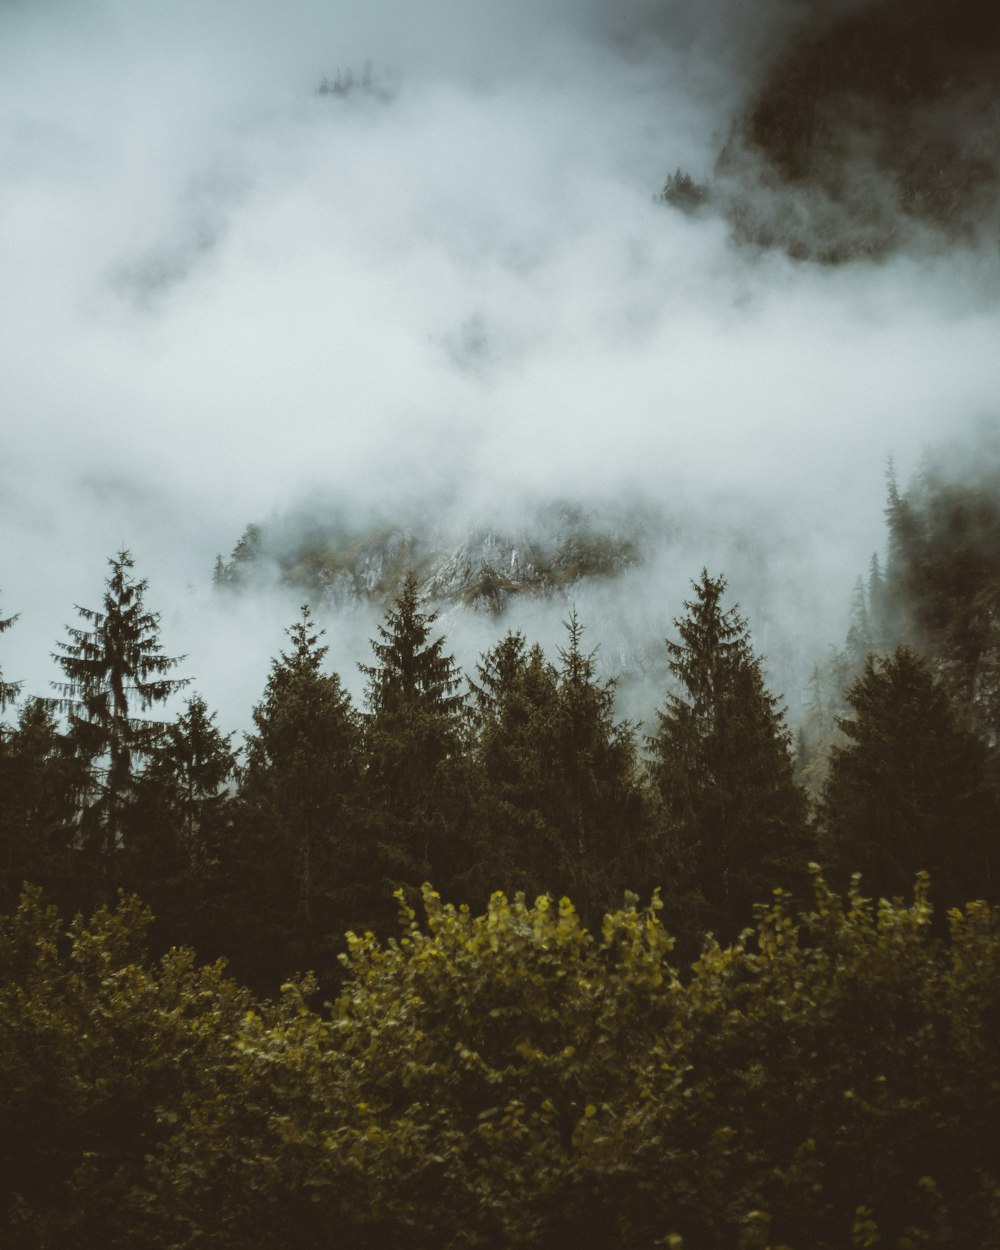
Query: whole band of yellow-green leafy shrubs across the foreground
point(831, 1079)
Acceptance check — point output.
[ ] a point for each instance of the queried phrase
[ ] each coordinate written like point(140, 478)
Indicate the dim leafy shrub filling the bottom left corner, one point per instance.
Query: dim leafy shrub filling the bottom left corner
point(99, 1049)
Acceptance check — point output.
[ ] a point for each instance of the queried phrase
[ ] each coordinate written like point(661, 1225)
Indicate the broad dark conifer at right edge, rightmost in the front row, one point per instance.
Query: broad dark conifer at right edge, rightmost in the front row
point(908, 791)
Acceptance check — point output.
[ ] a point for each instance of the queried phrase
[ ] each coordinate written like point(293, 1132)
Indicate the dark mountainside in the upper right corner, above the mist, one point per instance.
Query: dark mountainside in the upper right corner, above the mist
point(878, 131)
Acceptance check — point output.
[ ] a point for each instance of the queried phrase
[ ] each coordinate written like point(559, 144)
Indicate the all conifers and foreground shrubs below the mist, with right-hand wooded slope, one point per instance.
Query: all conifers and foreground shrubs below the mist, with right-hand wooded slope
point(539, 1059)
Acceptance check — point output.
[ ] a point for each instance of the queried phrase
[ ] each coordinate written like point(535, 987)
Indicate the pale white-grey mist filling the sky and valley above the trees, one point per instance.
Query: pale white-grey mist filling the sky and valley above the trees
point(222, 293)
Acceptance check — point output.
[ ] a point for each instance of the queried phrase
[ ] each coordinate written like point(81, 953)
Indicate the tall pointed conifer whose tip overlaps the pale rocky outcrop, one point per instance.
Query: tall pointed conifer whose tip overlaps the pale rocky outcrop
point(414, 731)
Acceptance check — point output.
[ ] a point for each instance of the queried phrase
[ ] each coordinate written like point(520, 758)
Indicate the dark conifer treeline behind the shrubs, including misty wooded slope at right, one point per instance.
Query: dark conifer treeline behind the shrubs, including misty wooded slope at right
point(518, 777)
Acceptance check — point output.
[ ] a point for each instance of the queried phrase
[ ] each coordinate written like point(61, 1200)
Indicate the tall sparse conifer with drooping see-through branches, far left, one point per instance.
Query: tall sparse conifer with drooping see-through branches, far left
point(114, 671)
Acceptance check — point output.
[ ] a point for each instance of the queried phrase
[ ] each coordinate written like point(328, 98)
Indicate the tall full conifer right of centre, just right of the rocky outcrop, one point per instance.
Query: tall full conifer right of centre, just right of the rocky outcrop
point(722, 761)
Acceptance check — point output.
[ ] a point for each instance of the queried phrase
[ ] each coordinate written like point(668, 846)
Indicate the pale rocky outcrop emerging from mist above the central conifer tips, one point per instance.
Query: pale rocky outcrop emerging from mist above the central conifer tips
point(343, 564)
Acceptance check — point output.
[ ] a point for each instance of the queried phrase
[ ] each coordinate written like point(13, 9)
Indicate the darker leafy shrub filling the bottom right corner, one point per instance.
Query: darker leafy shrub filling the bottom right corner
point(839, 1069)
